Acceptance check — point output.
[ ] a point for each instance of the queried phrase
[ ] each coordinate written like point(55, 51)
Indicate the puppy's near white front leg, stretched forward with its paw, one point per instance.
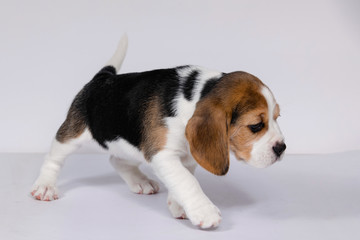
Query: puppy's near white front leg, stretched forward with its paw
point(184, 187)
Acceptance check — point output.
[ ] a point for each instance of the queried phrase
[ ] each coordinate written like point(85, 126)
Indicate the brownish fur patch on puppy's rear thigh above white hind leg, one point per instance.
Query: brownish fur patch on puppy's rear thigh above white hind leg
point(73, 126)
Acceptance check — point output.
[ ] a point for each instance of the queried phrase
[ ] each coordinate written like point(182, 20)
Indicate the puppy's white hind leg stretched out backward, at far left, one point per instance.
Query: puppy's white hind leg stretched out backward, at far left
point(44, 187)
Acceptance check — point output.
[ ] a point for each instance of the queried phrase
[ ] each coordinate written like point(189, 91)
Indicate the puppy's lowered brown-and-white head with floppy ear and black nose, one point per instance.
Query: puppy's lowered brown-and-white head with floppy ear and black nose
point(238, 114)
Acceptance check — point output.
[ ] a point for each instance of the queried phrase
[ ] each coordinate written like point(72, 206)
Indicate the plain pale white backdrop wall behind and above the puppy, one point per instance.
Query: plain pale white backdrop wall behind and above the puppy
point(307, 52)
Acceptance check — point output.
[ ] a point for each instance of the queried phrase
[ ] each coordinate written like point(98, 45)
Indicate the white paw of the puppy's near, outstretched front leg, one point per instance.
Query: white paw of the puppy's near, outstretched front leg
point(205, 216)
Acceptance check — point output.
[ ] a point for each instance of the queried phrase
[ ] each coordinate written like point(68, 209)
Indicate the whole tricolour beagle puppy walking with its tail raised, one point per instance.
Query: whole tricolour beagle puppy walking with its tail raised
point(172, 119)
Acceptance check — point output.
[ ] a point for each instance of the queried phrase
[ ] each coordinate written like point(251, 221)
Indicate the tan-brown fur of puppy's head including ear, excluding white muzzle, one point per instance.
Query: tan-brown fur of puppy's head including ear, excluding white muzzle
point(209, 132)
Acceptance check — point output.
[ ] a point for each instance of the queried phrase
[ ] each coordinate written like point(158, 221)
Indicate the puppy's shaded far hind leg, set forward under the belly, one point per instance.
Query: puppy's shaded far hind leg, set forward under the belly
point(134, 178)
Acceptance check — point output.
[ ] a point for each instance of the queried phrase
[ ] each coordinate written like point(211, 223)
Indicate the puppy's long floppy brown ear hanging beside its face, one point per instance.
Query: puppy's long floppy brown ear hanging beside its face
point(207, 134)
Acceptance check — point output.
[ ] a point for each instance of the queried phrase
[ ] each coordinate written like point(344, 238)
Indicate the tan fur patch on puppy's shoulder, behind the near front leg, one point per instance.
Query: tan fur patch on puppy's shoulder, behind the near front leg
point(154, 130)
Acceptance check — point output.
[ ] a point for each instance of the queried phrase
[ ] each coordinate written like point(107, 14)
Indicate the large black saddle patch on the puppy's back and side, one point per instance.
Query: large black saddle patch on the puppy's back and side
point(114, 105)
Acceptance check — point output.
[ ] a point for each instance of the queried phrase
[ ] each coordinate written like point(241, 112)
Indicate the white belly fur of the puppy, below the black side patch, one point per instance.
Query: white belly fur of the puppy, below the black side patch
point(124, 150)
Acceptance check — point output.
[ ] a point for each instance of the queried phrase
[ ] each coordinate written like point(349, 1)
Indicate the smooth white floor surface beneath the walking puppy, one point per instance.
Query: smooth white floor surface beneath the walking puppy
point(301, 197)
